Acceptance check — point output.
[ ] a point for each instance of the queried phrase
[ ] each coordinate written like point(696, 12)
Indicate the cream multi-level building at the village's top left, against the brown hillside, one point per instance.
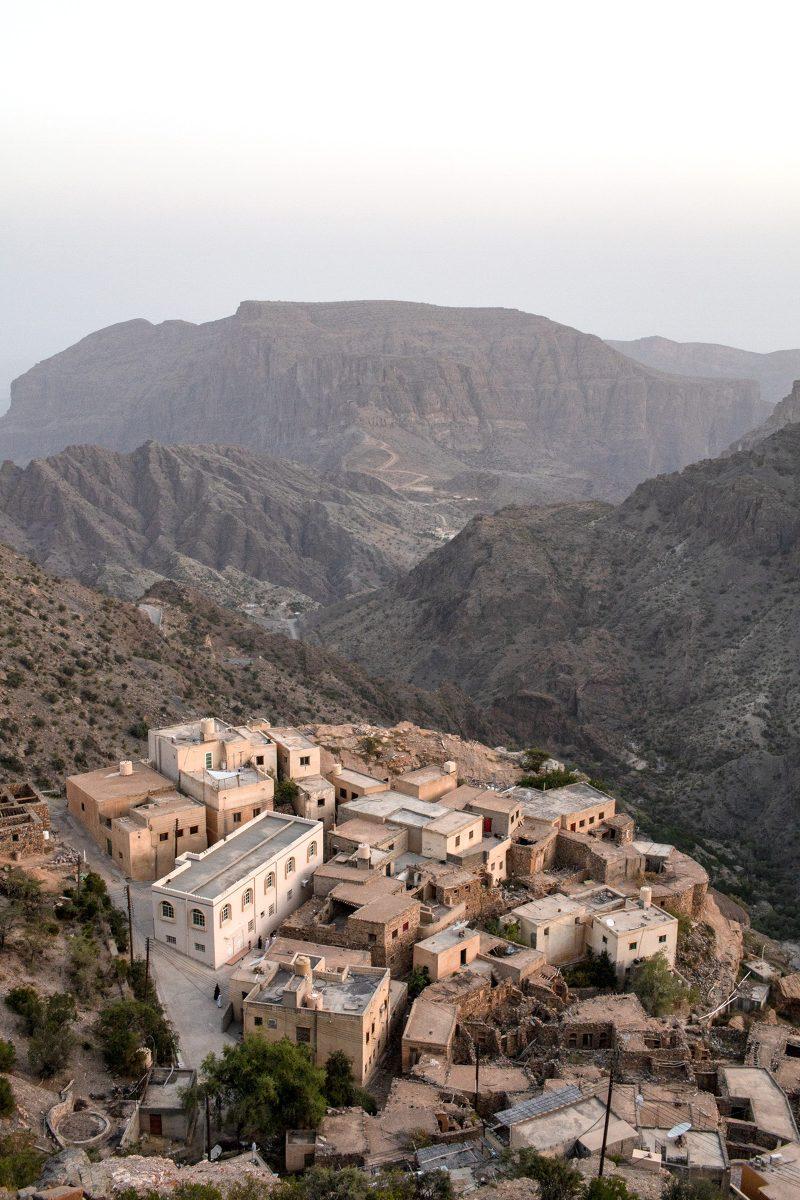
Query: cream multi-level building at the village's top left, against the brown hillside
point(212, 746)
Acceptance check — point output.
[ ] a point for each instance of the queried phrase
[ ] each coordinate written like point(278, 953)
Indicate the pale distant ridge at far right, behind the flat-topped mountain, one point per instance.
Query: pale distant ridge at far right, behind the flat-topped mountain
point(774, 373)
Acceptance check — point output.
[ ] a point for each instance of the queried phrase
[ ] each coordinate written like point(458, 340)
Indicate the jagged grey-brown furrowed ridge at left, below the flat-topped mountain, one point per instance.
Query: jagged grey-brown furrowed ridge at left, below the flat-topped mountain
point(215, 517)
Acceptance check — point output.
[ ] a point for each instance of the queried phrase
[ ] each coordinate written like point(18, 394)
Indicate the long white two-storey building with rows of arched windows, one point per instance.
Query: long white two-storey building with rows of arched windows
point(219, 904)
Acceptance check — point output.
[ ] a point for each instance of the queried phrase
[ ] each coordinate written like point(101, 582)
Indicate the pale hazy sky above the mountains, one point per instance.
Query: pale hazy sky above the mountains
point(624, 167)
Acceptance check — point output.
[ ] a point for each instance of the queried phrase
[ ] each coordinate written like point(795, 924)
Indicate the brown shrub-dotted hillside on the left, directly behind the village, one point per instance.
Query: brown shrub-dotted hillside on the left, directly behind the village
point(82, 675)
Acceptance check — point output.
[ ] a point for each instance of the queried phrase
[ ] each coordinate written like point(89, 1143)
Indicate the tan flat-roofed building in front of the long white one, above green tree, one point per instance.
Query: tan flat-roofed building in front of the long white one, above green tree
point(326, 1010)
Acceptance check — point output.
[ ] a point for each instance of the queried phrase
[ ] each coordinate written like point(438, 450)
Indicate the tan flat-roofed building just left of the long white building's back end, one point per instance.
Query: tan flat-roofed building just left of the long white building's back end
point(147, 842)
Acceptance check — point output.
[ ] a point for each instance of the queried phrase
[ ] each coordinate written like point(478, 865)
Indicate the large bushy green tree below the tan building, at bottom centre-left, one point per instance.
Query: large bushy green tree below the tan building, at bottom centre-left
point(266, 1088)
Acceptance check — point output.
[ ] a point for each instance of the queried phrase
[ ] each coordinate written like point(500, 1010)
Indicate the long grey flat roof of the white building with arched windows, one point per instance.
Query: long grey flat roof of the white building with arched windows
point(226, 863)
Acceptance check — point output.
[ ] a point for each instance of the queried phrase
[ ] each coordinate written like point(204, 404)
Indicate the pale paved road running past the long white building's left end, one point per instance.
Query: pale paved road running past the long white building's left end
point(185, 988)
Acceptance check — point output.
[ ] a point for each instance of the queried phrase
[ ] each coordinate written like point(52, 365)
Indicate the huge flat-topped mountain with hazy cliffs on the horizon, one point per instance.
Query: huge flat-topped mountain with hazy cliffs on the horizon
point(414, 393)
